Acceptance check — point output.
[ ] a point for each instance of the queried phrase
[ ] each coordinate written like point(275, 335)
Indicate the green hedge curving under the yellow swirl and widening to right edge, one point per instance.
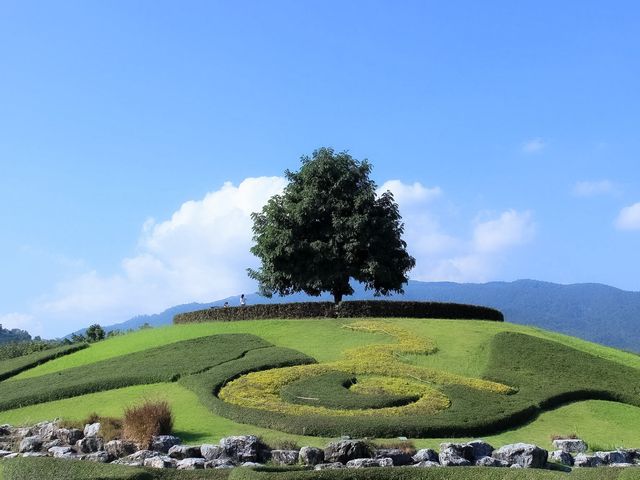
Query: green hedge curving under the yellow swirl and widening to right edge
point(546, 373)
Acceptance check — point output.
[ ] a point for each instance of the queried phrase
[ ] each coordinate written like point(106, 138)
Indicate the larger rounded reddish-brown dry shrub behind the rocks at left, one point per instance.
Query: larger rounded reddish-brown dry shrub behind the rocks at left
point(142, 422)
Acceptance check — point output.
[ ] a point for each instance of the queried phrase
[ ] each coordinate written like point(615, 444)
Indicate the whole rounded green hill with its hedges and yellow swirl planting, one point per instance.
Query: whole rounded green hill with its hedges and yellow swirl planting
point(501, 381)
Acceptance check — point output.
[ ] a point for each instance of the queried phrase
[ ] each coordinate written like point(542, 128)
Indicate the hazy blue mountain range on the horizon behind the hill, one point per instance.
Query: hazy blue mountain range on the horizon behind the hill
point(591, 311)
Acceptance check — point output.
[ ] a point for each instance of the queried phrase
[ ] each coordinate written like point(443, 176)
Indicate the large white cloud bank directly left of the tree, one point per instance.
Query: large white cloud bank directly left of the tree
point(200, 254)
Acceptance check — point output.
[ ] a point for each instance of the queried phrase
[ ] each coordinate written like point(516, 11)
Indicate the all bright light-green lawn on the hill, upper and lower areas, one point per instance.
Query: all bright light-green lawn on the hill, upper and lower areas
point(463, 347)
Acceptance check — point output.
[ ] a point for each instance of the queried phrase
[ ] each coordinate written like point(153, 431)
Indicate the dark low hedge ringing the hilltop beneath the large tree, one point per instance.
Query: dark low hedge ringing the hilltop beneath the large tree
point(349, 309)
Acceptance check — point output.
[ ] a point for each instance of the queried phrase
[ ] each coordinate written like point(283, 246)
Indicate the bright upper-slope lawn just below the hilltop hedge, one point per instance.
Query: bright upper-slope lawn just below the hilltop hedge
point(463, 346)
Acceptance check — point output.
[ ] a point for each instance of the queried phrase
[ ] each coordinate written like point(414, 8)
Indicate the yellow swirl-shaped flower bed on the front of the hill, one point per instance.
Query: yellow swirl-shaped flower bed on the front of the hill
point(261, 390)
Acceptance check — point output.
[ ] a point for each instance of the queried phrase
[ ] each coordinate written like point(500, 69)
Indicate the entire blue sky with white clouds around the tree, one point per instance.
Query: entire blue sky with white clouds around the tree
point(508, 131)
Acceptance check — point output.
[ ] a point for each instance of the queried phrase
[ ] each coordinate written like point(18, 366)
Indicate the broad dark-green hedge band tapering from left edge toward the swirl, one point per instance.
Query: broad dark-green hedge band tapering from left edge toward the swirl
point(162, 364)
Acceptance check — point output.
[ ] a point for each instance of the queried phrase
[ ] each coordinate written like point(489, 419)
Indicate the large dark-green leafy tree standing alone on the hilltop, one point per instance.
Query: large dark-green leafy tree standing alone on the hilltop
point(328, 227)
